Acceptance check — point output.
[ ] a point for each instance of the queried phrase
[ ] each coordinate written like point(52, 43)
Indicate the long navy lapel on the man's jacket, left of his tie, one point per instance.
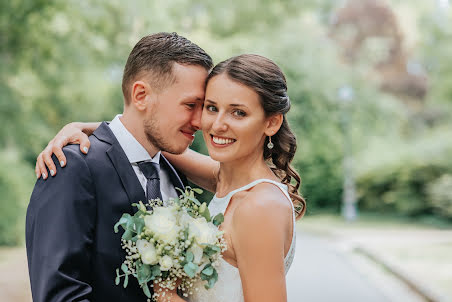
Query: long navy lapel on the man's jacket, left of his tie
point(122, 165)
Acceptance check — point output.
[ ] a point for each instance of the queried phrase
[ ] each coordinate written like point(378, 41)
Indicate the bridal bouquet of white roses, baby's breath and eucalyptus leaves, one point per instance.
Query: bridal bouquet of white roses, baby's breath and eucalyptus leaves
point(173, 242)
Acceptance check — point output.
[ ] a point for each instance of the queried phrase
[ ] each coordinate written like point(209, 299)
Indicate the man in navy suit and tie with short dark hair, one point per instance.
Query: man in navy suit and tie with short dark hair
point(72, 249)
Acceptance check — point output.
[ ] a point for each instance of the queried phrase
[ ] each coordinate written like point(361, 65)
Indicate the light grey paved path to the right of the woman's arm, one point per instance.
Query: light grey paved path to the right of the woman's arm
point(325, 271)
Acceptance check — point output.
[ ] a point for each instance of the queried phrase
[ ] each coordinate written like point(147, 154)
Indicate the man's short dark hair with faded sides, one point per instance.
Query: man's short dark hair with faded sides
point(155, 54)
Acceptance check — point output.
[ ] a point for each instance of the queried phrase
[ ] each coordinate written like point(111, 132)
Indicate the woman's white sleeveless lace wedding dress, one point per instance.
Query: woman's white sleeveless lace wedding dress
point(229, 286)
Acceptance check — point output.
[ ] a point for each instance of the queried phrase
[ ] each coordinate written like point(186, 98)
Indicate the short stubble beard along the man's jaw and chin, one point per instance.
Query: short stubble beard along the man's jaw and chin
point(155, 136)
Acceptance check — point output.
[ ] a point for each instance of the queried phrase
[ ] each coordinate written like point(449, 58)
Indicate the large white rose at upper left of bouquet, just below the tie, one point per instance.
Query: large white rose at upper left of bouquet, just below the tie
point(163, 223)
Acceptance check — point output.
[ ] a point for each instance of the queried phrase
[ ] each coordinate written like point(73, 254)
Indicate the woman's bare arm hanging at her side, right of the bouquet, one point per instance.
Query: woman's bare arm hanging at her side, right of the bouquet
point(259, 232)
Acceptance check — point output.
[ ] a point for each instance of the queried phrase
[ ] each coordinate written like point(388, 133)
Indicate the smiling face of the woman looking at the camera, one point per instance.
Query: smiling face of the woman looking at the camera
point(233, 120)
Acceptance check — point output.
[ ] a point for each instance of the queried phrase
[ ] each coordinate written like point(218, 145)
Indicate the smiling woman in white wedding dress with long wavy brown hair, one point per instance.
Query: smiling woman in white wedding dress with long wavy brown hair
point(251, 147)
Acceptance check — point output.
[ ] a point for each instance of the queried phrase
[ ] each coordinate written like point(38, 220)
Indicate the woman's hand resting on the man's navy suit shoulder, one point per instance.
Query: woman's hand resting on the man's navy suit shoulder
point(72, 133)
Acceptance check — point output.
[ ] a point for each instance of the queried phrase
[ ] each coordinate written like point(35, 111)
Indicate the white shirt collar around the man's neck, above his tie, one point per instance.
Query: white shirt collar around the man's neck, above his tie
point(134, 151)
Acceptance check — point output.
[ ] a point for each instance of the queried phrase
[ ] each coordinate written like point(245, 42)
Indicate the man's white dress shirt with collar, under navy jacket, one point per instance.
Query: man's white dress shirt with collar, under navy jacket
point(135, 152)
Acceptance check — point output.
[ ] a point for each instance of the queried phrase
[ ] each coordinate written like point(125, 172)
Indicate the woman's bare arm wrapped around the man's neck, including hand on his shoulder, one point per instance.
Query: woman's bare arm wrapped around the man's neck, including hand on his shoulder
point(200, 169)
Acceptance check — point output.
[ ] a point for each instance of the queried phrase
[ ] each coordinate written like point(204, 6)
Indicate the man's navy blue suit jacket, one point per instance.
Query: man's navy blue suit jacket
point(72, 249)
